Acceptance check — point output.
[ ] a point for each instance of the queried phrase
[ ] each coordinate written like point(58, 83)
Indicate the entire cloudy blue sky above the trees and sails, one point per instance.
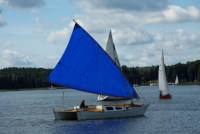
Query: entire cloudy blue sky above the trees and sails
point(35, 33)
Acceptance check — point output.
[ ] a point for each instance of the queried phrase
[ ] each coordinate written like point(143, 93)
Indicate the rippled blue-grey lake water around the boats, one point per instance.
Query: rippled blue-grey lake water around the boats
point(30, 112)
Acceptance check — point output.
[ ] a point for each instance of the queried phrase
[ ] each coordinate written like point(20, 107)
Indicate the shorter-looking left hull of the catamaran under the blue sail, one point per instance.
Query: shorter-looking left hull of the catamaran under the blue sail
point(65, 114)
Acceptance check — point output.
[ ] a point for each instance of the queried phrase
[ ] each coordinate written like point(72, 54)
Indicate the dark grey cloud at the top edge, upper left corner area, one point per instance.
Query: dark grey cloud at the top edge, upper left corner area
point(26, 3)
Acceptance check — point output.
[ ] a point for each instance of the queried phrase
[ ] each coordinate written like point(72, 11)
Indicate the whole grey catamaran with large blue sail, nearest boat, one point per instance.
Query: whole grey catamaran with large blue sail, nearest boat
point(85, 66)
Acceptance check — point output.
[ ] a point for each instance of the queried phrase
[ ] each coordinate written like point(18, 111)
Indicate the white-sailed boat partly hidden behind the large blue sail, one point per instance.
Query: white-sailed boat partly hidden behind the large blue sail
point(111, 51)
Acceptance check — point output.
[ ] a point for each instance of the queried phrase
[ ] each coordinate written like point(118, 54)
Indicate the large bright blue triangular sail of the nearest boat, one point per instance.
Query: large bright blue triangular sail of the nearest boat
point(86, 66)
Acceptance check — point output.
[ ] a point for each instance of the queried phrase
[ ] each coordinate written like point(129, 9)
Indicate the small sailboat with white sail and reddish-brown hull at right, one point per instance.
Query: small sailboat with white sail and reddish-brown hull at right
point(162, 80)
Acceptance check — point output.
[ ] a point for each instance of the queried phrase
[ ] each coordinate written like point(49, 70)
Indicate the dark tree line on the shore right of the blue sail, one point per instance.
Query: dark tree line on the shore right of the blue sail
point(189, 72)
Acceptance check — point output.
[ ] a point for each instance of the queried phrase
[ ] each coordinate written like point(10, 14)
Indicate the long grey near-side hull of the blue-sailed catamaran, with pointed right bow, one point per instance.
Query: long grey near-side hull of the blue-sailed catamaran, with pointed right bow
point(130, 112)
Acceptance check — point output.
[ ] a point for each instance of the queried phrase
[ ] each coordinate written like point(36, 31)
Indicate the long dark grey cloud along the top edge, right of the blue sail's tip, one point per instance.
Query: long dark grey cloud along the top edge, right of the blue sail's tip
point(127, 5)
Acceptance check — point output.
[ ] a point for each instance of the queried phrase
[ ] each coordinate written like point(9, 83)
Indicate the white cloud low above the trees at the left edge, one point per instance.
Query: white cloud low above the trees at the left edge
point(14, 59)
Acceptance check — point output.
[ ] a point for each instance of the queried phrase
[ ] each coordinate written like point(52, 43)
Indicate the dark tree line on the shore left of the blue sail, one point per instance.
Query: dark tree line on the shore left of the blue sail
point(19, 78)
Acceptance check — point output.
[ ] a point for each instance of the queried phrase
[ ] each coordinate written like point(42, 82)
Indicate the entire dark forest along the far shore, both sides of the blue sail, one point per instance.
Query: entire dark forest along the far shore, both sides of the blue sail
point(27, 78)
